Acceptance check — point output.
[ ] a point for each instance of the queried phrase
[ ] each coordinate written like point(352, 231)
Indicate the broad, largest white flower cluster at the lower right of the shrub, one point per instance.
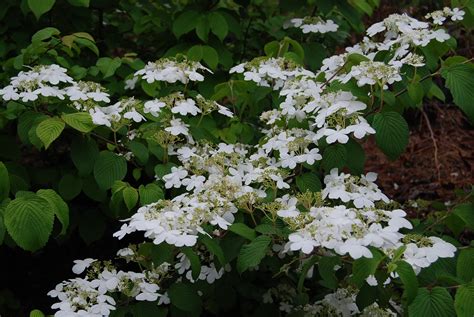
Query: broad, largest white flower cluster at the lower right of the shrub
point(345, 230)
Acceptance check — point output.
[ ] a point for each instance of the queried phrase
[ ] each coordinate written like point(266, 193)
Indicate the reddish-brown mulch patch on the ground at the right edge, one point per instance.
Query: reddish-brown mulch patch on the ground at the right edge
point(414, 175)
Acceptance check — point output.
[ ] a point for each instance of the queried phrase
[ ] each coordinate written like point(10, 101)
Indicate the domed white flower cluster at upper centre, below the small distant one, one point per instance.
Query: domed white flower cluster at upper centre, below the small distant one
point(270, 71)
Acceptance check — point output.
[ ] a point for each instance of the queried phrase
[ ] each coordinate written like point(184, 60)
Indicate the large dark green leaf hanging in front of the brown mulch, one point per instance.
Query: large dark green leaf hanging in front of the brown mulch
point(391, 133)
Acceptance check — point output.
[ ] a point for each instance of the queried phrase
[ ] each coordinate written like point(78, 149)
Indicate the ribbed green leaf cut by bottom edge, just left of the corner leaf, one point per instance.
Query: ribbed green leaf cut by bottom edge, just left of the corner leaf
point(432, 303)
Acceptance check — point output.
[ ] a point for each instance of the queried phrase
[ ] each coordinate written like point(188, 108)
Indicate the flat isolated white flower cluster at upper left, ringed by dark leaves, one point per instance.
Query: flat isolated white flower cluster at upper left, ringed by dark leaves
point(170, 70)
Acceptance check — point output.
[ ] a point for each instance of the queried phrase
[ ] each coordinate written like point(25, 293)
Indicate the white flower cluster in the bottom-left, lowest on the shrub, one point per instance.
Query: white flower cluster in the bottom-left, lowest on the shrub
point(92, 295)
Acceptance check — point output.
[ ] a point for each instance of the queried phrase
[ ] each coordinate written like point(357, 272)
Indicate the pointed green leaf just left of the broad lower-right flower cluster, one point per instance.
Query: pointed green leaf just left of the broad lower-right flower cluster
point(251, 254)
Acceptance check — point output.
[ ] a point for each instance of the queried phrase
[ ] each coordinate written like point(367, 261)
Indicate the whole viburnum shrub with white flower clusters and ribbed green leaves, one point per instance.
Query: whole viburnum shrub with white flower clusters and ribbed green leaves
point(269, 216)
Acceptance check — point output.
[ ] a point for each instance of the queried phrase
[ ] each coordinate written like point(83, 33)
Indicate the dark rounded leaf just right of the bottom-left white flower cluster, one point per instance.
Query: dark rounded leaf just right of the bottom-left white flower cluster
point(184, 297)
